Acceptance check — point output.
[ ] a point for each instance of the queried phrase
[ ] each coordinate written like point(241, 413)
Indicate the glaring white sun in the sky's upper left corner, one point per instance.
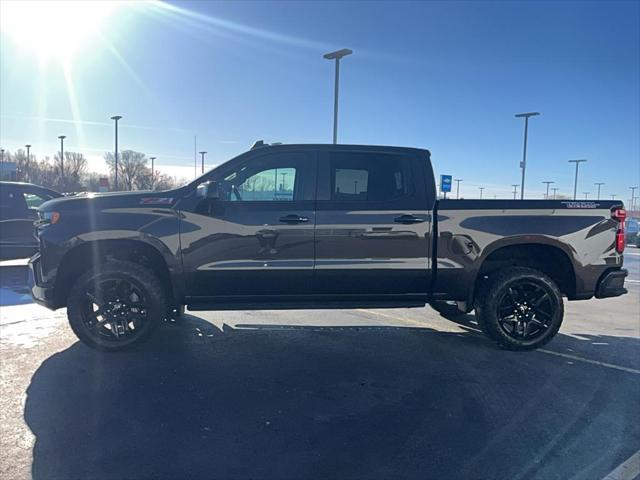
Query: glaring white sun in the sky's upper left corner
point(55, 29)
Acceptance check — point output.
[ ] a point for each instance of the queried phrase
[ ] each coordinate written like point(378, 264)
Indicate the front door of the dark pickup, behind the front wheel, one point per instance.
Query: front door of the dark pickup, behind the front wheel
point(257, 237)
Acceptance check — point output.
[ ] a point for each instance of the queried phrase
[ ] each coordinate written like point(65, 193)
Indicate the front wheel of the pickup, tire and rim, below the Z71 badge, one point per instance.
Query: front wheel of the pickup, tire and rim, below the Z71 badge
point(116, 305)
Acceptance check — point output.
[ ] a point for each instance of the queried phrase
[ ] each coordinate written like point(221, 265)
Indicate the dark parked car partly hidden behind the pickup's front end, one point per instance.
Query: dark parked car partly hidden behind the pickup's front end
point(18, 210)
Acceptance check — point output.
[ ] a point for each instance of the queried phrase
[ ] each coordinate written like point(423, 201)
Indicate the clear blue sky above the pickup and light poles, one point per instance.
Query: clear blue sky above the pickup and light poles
point(448, 76)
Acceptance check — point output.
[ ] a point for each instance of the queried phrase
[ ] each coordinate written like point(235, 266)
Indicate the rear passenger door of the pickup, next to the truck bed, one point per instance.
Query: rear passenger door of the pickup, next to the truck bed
point(372, 224)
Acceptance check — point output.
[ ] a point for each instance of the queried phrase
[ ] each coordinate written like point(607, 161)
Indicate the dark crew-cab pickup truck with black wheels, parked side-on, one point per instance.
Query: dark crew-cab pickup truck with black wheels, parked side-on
point(322, 226)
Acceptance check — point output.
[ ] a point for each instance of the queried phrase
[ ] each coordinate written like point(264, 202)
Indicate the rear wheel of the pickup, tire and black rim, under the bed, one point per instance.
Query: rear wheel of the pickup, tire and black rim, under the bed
point(520, 308)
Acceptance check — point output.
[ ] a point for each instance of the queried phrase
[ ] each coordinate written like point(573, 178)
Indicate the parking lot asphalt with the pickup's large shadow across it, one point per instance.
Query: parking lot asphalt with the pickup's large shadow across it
point(395, 393)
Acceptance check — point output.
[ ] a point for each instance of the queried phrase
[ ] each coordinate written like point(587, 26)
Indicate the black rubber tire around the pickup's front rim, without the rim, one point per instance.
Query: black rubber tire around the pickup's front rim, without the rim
point(142, 278)
